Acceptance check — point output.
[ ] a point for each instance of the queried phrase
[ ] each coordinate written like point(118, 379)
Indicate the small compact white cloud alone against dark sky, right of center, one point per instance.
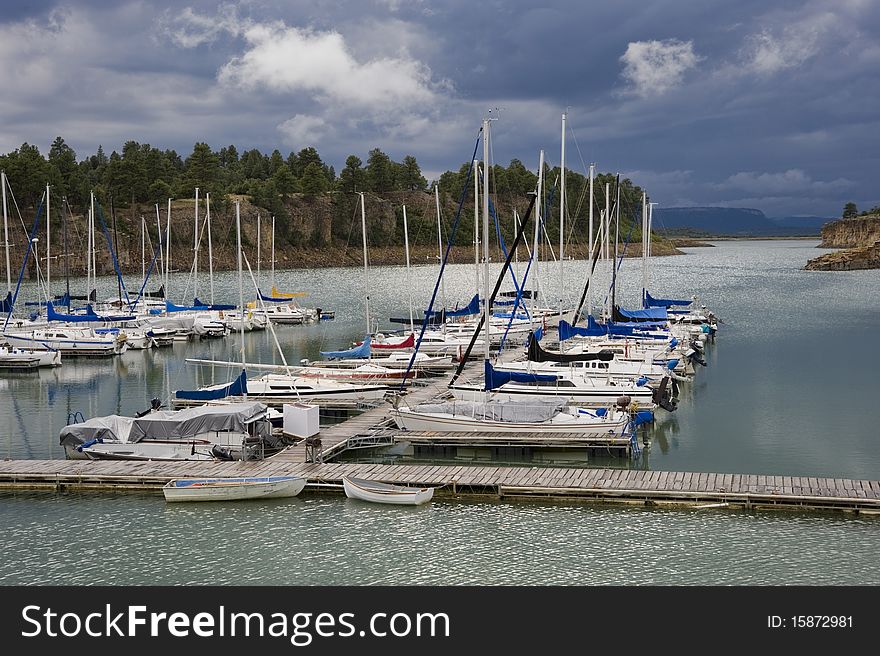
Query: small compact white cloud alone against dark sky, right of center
point(654, 67)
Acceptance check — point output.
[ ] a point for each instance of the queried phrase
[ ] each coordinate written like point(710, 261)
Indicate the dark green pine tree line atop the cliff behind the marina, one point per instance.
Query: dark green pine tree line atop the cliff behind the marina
point(143, 174)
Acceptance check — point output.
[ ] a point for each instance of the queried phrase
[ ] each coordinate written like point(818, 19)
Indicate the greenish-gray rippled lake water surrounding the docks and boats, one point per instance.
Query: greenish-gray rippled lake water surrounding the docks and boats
point(789, 389)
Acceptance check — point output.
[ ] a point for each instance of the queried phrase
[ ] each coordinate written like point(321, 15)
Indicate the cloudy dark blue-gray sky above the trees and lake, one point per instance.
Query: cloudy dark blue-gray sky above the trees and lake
point(735, 103)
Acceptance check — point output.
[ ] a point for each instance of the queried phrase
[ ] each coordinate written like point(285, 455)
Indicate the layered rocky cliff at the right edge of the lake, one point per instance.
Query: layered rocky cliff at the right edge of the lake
point(859, 237)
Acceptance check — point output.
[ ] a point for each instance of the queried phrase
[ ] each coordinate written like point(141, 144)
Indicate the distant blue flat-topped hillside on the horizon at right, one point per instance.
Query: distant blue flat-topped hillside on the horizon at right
point(732, 222)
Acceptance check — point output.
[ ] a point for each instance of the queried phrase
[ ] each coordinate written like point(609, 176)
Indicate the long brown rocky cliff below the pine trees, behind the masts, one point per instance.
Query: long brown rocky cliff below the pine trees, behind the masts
point(314, 231)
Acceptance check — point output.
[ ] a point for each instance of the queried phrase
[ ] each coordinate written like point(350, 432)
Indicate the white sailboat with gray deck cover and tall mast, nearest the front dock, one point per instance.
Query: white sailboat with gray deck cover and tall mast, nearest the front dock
point(489, 414)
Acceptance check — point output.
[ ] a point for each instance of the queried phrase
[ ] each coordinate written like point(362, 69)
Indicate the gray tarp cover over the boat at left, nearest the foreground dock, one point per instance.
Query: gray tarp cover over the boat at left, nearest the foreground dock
point(166, 424)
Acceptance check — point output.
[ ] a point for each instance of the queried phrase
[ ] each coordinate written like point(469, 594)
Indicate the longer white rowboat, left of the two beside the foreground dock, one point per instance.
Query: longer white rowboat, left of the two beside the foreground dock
point(232, 489)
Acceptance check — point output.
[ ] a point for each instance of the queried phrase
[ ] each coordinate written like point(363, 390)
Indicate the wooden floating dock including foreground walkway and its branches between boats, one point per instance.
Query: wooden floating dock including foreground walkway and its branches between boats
point(374, 427)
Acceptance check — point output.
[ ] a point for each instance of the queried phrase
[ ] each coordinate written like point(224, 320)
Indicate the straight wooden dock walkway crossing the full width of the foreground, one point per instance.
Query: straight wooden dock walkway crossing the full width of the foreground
point(649, 488)
